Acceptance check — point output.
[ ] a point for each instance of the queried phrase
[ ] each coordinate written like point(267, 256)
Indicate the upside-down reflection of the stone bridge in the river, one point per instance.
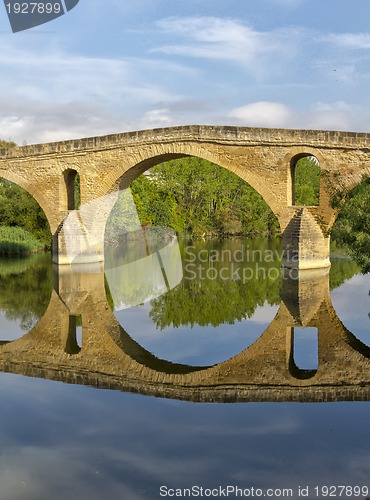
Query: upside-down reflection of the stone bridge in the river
point(266, 371)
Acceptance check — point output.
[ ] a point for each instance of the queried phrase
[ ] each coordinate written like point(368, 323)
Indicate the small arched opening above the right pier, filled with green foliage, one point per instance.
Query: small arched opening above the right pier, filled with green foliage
point(305, 174)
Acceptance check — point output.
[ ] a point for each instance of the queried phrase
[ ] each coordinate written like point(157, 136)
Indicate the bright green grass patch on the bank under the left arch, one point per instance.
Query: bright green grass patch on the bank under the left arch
point(17, 241)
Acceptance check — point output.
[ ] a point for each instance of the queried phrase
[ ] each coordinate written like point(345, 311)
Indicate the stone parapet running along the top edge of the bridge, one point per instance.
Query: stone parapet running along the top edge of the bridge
point(223, 134)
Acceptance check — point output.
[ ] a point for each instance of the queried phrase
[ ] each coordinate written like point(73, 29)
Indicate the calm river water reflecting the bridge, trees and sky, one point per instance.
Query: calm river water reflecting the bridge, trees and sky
point(308, 341)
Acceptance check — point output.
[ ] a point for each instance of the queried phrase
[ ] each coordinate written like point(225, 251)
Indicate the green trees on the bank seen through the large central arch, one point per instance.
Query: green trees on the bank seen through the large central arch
point(194, 196)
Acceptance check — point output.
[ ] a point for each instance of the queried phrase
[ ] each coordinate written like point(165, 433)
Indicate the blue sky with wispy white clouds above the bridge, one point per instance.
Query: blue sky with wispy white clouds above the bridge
point(111, 66)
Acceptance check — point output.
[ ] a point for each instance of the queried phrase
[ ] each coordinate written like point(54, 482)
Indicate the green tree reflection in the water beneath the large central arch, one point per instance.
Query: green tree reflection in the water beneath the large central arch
point(224, 282)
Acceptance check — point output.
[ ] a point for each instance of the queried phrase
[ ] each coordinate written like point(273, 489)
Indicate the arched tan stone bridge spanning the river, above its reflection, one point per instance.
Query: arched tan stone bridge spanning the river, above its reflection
point(264, 158)
